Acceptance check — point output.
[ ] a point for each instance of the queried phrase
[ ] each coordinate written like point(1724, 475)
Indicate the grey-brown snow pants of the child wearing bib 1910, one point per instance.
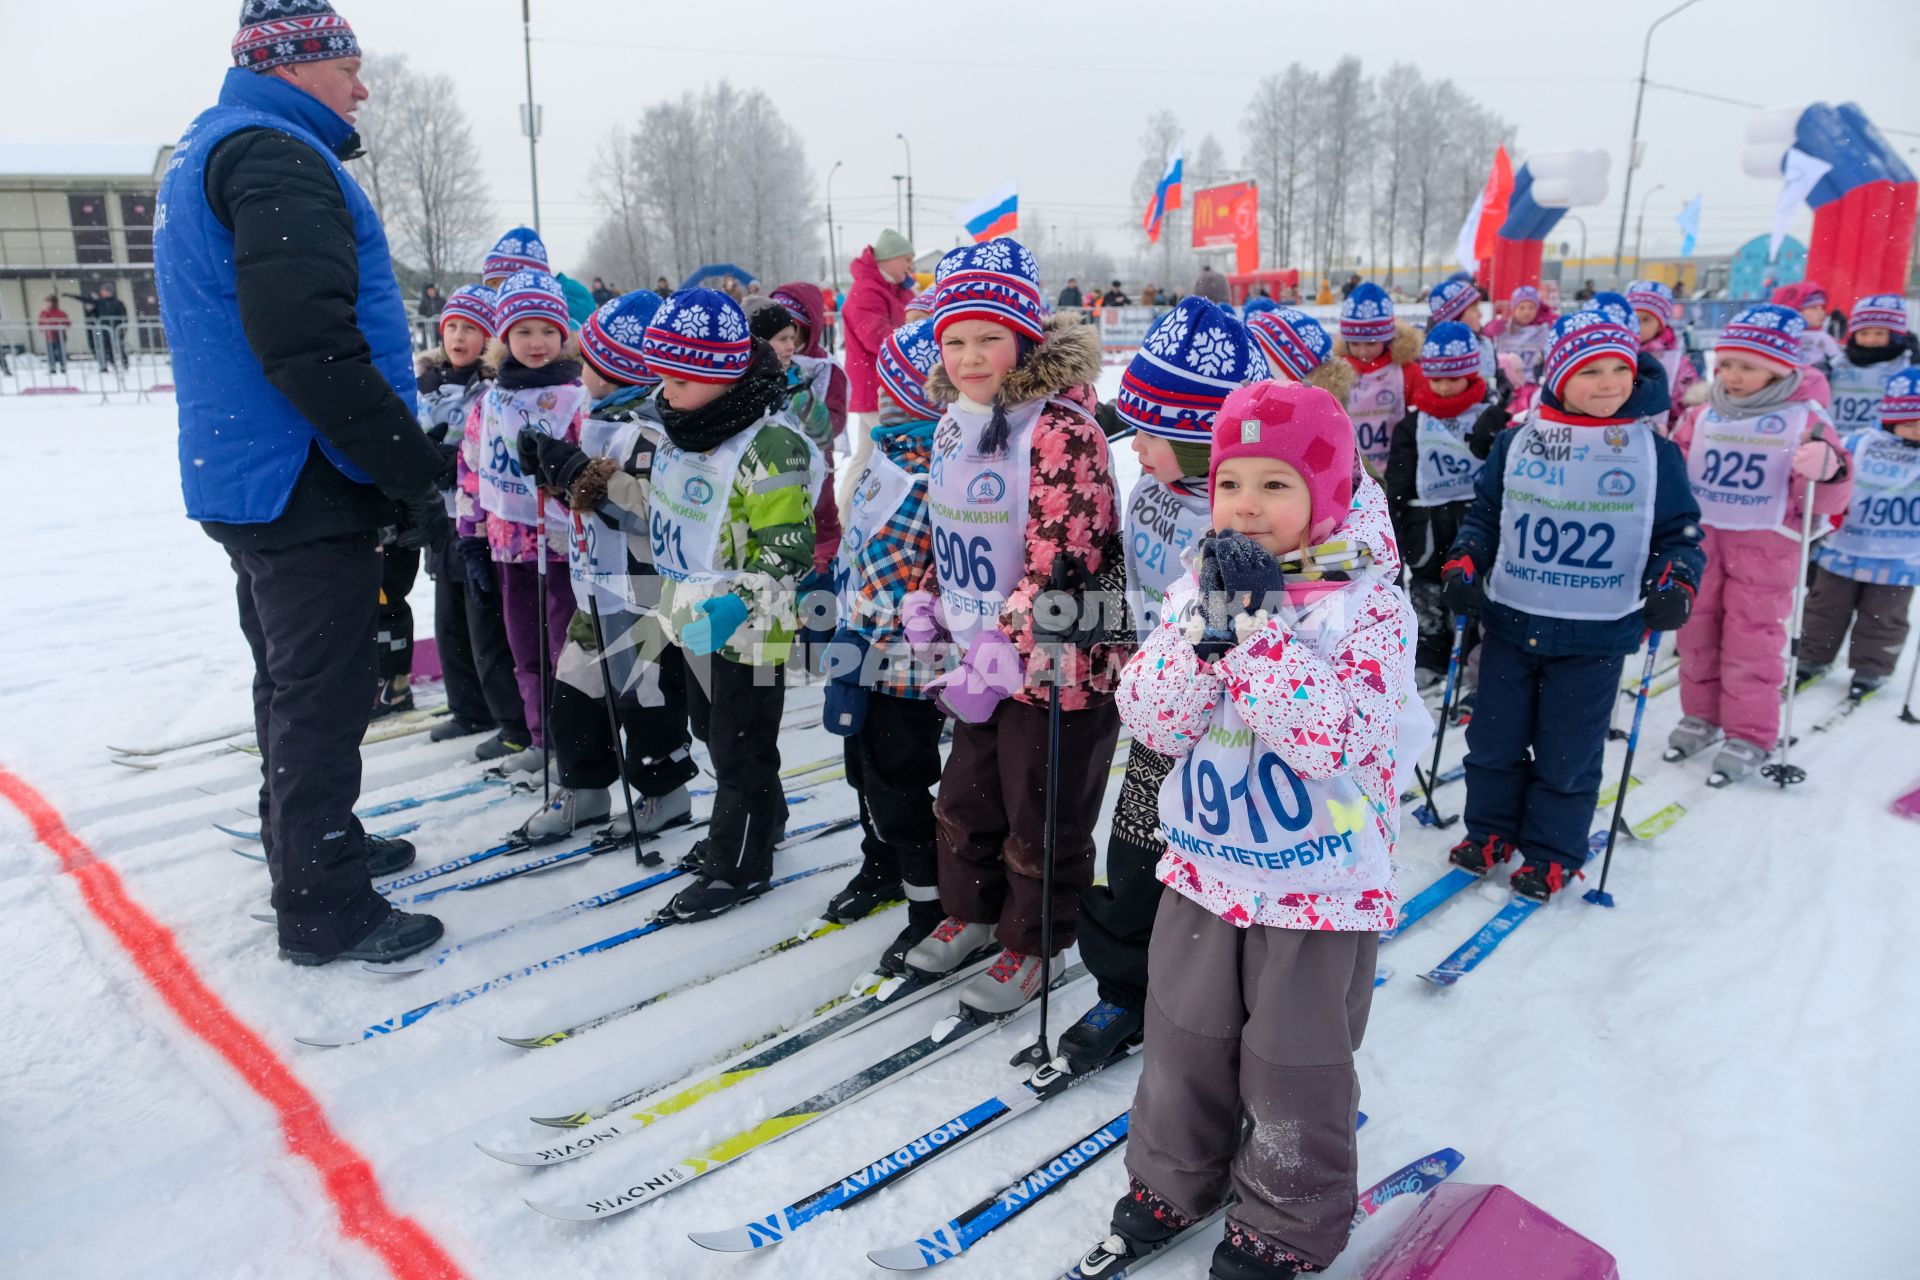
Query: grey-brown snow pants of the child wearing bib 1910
point(1249, 1081)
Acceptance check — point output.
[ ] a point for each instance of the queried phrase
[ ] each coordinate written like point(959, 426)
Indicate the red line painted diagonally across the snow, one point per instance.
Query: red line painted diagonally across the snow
point(408, 1250)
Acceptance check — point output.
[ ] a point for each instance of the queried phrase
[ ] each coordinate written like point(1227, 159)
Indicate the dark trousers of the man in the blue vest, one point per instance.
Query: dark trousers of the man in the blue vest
point(308, 615)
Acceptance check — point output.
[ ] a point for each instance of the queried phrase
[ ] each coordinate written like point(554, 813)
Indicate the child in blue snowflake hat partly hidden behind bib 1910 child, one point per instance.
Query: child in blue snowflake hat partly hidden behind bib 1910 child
point(1188, 366)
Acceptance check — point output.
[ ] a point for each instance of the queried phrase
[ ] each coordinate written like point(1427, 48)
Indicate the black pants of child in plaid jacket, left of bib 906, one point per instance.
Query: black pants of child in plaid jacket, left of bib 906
point(894, 765)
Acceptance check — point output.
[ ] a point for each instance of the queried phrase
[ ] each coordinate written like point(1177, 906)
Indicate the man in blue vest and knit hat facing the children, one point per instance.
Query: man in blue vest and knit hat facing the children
point(299, 444)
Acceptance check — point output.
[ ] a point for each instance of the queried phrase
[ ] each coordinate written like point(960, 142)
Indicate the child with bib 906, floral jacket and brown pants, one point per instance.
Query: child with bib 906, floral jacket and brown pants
point(1019, 479)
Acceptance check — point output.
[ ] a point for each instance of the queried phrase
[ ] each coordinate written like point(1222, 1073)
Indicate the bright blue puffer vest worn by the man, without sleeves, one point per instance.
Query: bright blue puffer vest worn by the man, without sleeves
point(243, 444)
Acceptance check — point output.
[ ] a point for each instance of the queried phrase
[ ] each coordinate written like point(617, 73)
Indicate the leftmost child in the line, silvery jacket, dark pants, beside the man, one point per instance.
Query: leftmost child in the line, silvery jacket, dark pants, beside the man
point(468, 627)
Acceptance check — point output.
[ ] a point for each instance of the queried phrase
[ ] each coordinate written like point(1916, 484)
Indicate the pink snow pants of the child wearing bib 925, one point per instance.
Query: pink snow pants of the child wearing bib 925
point(1733, 650)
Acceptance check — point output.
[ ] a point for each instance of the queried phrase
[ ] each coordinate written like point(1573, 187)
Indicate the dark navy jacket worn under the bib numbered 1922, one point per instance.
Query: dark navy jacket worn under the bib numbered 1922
point(1677, 538)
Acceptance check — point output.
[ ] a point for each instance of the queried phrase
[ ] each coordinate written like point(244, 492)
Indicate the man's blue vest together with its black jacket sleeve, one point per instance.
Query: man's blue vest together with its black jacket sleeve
point(322, 358)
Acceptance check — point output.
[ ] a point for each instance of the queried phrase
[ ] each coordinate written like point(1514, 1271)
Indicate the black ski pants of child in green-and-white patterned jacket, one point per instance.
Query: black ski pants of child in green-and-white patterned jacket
point(736, 711)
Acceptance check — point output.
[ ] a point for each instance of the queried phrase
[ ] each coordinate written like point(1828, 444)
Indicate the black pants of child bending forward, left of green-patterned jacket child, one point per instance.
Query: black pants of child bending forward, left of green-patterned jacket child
point(660, 755)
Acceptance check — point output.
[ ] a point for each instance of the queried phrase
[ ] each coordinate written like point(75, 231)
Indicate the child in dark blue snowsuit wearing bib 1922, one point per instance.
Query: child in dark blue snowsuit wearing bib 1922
point(1583, 536)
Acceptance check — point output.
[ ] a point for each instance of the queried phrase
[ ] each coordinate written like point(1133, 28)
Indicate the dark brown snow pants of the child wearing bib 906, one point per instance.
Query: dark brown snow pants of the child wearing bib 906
point(992, 815)
